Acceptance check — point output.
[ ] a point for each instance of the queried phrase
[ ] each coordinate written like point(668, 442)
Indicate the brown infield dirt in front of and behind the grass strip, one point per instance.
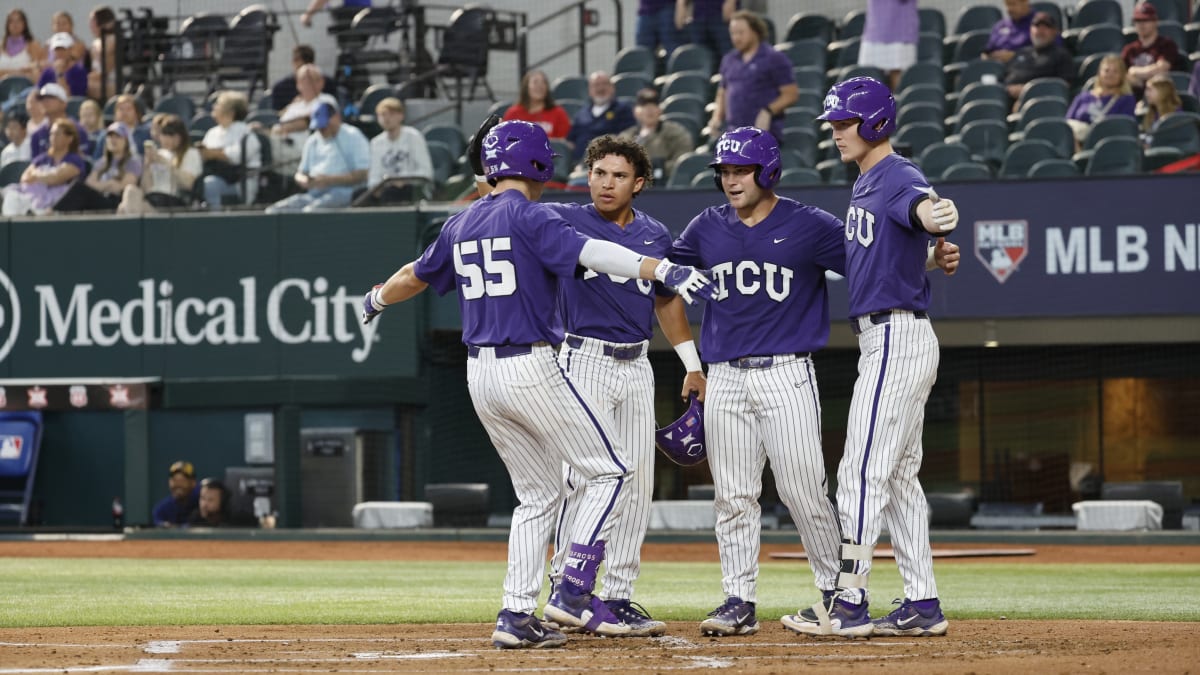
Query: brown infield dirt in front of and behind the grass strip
point(973, 647)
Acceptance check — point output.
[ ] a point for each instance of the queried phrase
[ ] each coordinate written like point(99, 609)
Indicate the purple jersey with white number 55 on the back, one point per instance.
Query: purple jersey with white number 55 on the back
point(505, 255)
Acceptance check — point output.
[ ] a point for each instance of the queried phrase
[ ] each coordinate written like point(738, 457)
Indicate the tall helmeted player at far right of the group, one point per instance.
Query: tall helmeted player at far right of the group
point(895, 217)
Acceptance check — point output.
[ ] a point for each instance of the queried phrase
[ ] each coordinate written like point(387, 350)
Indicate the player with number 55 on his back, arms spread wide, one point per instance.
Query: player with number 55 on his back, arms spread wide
point(503, 256)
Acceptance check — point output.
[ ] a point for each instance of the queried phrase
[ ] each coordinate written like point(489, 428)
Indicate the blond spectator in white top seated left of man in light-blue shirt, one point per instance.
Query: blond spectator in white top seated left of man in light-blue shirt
point(225, 164)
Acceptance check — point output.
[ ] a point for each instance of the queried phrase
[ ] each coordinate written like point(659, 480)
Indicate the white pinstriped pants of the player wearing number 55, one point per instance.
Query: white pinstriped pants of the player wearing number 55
point(538, 420)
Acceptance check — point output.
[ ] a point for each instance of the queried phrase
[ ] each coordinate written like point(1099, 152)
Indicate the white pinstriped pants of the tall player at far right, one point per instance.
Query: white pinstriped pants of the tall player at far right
point(878, 479)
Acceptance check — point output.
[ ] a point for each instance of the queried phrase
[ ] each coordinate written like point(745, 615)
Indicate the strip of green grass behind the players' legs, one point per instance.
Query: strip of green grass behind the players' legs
point(151, 593)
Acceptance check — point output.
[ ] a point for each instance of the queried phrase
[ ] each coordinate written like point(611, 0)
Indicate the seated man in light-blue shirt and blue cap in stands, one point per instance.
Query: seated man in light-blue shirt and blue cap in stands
point(334, 164)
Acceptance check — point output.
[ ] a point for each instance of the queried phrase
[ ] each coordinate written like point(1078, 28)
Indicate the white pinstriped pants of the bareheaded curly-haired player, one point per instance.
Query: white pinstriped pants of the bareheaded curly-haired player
point(625, 392)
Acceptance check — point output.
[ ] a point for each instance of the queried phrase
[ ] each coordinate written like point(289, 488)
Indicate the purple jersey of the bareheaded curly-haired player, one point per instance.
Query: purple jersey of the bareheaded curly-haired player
point(607, 307)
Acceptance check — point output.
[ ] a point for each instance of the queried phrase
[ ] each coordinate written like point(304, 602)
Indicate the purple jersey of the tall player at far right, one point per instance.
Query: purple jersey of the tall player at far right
point(885, 250)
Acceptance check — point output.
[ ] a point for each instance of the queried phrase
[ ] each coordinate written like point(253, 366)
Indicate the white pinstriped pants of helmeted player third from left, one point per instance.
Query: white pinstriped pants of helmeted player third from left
point(751, 417)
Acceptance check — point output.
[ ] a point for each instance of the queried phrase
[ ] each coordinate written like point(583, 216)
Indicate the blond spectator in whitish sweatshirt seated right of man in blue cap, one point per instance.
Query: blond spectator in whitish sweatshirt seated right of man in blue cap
point(401, 168)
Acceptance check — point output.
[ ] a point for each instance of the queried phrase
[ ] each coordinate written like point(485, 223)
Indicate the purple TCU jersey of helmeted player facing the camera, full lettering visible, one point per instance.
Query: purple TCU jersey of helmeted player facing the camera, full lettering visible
point(771, 279)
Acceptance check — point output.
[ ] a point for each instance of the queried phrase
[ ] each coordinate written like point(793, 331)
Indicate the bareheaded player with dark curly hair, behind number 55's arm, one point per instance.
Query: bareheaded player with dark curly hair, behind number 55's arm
point(605, 353)
